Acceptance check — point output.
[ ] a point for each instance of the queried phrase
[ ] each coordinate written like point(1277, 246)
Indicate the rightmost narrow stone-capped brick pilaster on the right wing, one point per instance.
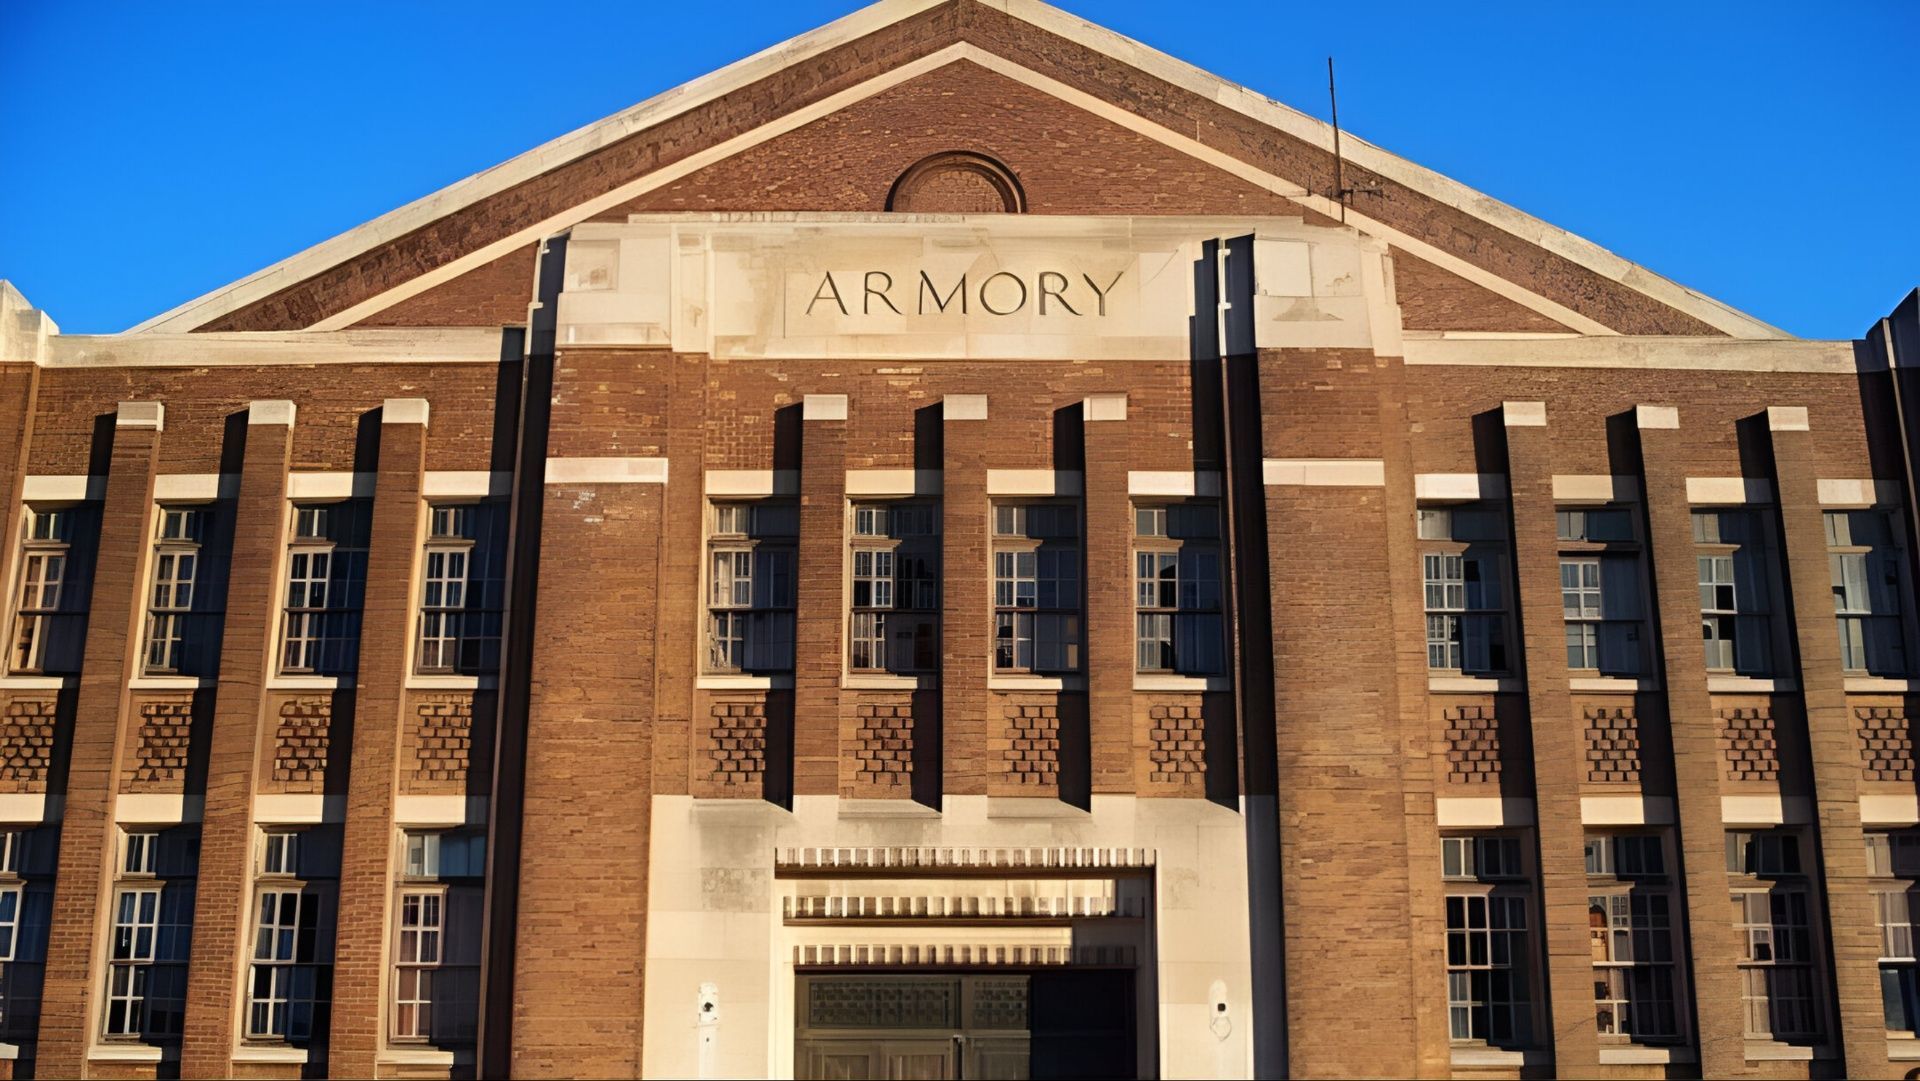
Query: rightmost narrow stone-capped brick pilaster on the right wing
point(1836, 759)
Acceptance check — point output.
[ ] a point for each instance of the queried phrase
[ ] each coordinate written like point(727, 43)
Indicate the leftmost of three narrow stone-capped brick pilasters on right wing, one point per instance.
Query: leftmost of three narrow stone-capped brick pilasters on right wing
point(1556, 738)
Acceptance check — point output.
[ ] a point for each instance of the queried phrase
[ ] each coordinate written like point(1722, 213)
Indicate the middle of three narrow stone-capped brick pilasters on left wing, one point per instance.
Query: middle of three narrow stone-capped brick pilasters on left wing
point(216, 988)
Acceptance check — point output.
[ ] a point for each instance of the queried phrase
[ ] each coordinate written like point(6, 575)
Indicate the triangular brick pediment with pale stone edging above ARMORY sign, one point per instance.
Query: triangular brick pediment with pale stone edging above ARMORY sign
point(1090, 122)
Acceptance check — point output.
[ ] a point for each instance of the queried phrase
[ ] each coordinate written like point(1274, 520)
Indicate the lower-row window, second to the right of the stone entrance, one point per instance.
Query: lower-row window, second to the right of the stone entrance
point(1631, 923)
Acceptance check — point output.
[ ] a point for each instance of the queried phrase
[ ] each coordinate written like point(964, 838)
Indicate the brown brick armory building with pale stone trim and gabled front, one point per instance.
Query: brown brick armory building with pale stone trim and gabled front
point(953, 550)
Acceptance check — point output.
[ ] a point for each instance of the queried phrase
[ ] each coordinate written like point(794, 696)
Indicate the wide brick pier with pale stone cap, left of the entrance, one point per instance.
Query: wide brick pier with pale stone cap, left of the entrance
point(581, 953)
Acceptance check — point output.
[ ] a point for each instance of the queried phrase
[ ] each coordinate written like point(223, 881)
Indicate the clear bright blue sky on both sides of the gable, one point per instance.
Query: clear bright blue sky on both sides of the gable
point(153, 153)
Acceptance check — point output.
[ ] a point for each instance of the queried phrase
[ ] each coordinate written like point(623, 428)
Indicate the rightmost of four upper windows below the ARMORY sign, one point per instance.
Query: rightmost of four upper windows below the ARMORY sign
point(1176, 587)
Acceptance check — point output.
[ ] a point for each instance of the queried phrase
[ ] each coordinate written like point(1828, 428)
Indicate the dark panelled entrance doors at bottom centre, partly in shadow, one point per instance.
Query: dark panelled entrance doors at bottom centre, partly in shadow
point(1007, 1026)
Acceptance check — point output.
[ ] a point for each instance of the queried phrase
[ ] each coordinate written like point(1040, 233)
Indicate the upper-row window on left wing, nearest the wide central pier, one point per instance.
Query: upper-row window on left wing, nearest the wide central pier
point(464, 589)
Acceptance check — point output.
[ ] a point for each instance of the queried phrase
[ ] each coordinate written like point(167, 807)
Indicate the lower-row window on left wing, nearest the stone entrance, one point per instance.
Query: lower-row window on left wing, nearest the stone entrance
point(437, 938)
